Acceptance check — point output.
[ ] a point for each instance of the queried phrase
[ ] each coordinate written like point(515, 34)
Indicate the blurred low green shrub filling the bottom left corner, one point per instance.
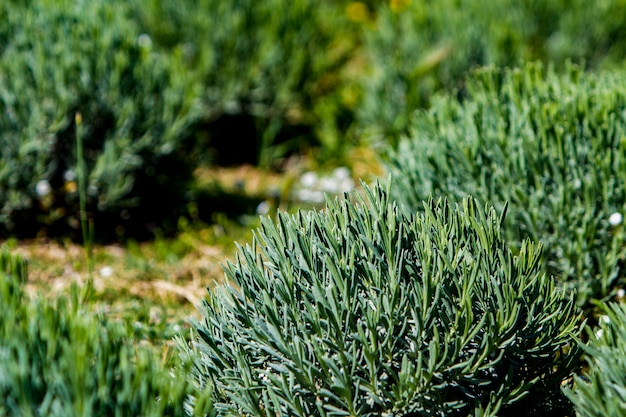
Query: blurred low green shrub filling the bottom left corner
point(57, 359)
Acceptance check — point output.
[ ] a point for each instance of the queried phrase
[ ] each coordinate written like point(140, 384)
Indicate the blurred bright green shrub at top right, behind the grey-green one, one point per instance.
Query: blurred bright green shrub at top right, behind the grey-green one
point(418, 47)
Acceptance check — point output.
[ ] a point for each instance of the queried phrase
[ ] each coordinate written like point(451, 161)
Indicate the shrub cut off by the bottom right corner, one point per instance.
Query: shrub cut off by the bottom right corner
point(603, 391)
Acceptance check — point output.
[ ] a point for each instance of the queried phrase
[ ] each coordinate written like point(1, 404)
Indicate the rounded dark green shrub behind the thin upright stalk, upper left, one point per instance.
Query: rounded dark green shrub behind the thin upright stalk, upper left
point(135, 113)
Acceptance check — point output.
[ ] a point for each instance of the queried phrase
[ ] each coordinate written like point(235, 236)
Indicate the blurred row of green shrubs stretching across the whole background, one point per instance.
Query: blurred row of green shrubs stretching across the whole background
point(163, 86)
